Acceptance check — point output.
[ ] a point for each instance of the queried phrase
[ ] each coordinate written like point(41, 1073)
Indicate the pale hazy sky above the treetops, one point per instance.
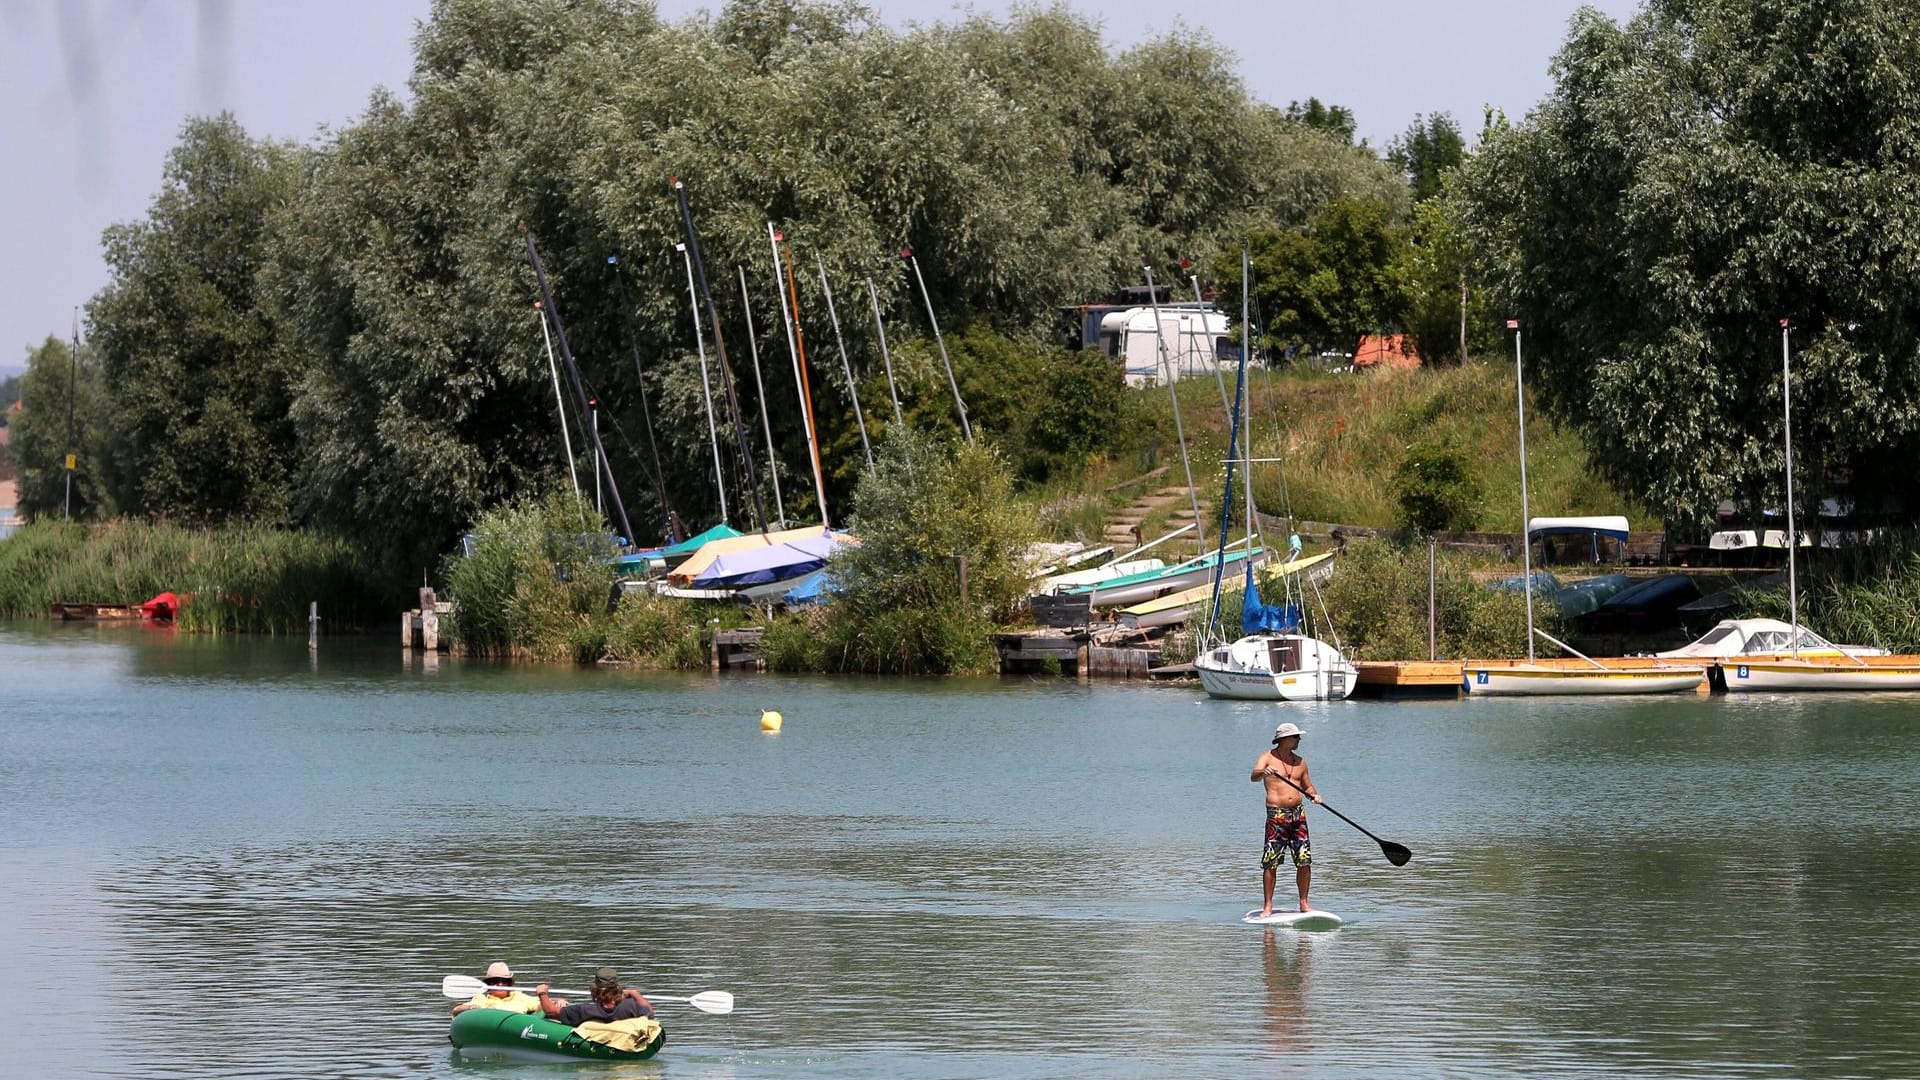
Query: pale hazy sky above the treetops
point(97, 89)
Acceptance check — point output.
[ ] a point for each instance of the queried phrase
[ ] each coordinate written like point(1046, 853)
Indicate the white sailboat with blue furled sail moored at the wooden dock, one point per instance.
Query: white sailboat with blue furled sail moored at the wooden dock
point(1270, 662)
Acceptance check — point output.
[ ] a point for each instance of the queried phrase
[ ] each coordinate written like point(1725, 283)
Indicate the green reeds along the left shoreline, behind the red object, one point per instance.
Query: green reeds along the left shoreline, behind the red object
point(239, 579)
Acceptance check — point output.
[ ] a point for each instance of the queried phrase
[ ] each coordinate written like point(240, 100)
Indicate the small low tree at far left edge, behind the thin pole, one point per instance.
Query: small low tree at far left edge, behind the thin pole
point(62, 412)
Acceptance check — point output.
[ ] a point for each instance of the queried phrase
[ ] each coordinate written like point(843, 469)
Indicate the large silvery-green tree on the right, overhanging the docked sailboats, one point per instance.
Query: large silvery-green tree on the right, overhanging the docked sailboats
point(1700, 174)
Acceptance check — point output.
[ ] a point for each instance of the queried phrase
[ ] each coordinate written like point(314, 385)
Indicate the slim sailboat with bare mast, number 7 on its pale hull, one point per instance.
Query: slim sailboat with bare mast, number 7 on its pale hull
point(1562, 677)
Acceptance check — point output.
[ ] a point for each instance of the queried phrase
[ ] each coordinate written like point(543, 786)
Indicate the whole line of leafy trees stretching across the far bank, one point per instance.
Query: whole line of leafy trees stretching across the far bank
point(345, 333)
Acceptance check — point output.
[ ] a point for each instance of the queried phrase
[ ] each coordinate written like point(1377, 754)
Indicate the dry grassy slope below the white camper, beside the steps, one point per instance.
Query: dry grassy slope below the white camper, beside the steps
point(1339, 439)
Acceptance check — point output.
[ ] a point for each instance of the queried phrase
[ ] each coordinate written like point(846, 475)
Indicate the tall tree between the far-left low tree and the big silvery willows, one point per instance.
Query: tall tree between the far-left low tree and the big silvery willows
point(199, 368)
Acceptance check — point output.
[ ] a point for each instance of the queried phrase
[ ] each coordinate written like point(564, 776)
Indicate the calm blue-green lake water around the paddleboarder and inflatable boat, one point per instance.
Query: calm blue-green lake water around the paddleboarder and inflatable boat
point(224, 858)
